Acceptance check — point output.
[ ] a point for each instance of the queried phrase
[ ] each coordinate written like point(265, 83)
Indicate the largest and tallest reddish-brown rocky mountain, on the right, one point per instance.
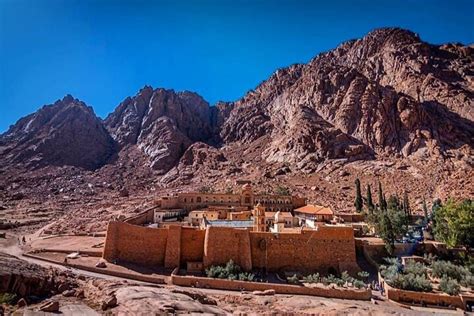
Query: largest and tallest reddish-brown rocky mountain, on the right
point(386, 94)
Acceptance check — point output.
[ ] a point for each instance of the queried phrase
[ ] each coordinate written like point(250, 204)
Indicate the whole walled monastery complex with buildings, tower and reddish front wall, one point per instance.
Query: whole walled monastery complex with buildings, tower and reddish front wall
point(266, 232)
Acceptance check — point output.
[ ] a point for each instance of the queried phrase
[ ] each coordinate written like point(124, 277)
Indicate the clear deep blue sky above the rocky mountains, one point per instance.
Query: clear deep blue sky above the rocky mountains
point(104, 51)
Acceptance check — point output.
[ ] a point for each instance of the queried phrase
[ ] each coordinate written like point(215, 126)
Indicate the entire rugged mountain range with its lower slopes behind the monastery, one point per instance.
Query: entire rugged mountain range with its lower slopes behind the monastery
point(386, 107)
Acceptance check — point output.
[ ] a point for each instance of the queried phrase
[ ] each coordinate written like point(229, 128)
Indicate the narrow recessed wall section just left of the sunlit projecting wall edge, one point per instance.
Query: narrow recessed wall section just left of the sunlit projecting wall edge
point(192, 245)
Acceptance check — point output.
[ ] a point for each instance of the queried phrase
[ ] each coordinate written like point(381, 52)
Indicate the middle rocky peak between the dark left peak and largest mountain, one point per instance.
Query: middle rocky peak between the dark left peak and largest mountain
point(163, 124)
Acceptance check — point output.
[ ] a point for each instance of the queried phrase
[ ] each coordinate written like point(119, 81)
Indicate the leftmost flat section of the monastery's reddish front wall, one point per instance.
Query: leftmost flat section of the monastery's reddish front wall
point(135, 244)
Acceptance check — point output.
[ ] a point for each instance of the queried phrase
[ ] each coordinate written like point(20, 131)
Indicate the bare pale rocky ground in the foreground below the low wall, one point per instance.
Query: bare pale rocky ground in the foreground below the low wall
point(61, 291)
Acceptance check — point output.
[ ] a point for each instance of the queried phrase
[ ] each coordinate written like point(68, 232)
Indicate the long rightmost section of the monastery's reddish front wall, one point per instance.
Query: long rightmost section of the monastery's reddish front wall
point(307, 251)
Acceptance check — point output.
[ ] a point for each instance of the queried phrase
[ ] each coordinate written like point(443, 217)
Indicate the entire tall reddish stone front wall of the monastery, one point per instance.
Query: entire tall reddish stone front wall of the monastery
point(327, 250)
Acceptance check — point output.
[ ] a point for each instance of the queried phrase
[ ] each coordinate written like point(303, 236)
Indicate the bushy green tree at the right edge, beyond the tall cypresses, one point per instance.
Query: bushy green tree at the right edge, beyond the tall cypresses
point(454, 223)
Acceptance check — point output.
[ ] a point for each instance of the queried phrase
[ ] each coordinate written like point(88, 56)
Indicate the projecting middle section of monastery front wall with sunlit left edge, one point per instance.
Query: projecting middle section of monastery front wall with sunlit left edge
point(222, 244)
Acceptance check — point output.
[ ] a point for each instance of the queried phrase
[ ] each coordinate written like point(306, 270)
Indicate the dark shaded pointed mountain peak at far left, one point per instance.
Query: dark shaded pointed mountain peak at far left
point(64, 133)
